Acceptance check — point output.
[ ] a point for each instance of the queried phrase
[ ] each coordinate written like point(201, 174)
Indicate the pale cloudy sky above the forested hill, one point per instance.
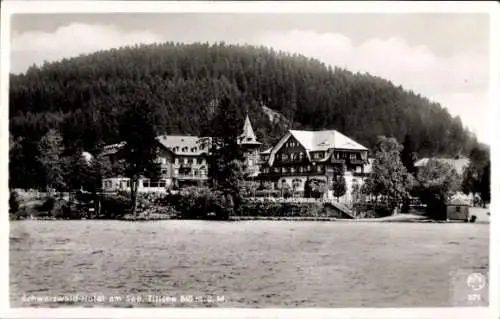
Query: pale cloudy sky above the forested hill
point(444, 57)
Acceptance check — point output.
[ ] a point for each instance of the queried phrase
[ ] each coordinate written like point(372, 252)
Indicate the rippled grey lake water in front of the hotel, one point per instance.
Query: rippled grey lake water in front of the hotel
point(241, 264)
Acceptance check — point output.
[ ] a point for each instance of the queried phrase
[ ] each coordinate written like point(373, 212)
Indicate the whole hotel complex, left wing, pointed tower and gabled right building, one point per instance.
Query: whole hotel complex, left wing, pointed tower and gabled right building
point(297, 157)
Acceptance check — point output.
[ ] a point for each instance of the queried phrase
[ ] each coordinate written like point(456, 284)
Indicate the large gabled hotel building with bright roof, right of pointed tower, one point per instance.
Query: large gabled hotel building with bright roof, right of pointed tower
point(300, 156)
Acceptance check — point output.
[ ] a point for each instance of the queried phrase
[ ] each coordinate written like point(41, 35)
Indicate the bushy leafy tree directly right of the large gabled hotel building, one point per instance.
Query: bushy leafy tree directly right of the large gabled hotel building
point(389, 179)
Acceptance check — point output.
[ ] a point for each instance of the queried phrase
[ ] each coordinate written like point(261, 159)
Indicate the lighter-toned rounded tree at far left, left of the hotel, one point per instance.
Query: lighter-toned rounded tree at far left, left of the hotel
point(50, 149)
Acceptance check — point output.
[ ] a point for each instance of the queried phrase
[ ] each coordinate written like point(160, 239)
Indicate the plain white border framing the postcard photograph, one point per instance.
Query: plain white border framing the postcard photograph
point(490, 7)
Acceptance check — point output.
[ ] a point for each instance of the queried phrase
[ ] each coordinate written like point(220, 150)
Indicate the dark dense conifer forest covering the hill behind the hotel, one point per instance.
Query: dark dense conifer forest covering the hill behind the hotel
point(84, 97)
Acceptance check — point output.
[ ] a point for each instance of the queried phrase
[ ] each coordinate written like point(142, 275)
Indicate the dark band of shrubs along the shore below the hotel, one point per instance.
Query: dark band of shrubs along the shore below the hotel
point(194, 203)
